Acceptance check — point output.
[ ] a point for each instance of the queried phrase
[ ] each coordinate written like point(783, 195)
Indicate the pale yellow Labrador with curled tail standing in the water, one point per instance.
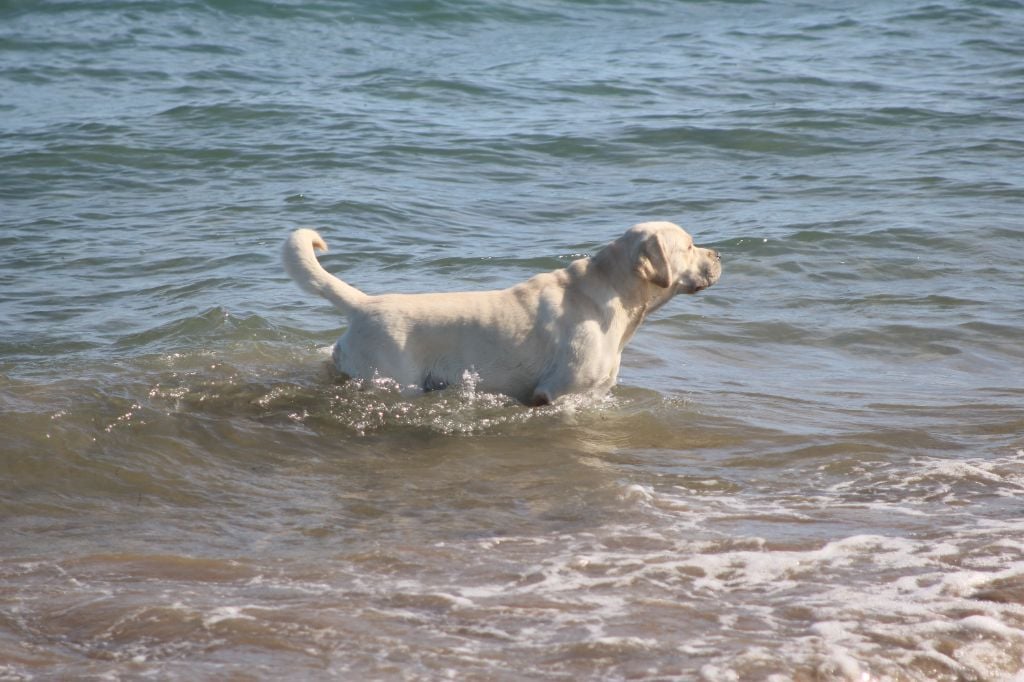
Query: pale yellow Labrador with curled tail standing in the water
point(557, 334)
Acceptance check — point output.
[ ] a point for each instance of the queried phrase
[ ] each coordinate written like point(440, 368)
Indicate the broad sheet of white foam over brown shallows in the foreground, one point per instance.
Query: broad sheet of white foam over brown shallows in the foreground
point(868, 604)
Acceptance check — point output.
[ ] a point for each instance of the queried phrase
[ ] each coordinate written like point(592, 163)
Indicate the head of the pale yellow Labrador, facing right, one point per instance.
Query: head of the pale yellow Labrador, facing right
point(664, 254)
